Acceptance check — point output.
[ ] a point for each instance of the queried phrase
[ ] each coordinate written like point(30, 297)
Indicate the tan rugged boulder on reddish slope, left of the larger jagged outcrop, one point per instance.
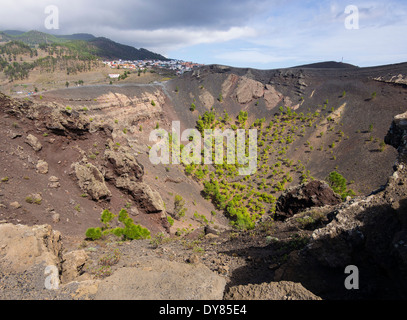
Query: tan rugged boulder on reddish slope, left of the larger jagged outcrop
point(91, 180)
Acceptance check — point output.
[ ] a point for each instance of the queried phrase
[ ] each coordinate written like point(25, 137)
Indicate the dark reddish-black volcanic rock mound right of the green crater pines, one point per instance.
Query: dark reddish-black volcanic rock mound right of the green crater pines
point(314, 194)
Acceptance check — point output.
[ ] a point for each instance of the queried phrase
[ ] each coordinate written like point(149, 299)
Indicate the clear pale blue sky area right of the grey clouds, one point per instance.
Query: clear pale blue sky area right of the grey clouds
point(309, 31)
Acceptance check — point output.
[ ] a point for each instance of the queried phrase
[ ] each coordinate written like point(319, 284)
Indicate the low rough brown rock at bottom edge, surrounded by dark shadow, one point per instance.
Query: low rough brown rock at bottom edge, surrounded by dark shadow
point(284, 290)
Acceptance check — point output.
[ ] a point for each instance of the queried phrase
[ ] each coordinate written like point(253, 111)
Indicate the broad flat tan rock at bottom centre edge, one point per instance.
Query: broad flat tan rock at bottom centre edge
point(156, 279)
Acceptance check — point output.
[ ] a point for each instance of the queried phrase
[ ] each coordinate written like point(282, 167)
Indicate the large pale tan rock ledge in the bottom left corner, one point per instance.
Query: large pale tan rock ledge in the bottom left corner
point(33, 266)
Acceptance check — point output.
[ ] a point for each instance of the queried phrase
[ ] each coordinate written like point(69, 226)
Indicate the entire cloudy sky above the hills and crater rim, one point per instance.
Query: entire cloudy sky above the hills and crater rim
point(263, 34)
